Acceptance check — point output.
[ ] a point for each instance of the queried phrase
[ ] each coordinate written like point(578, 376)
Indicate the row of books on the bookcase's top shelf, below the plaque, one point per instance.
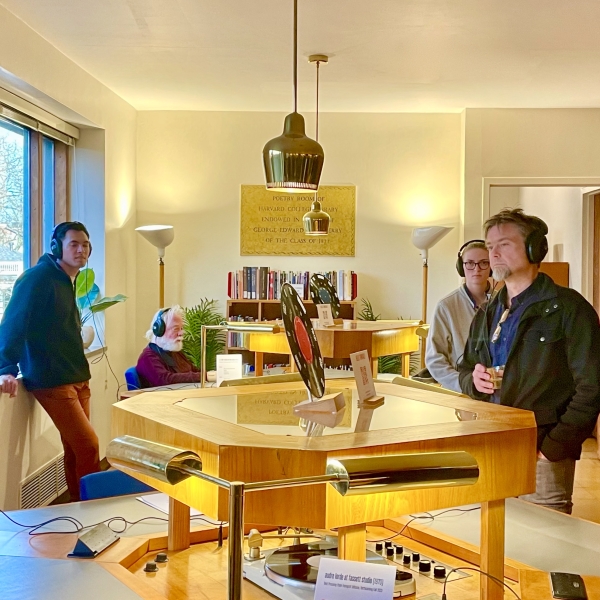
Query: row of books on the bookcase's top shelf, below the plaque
point(260, 283)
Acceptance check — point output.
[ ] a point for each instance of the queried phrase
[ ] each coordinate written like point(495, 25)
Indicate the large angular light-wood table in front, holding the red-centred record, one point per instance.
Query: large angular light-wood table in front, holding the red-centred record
point(250, 434)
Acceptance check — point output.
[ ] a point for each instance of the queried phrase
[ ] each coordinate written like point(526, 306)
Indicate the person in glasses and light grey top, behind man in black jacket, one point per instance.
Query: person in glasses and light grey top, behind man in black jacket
point(453, 315)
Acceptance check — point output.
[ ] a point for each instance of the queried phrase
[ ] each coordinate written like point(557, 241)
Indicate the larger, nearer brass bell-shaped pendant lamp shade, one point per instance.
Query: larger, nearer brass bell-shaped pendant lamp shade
point(293, 162)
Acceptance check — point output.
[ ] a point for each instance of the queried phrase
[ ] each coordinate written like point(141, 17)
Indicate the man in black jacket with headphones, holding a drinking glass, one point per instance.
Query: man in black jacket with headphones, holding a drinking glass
point(546, 338)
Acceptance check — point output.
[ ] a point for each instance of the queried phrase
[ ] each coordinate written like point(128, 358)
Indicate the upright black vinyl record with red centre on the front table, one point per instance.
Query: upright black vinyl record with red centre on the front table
point(303, 341)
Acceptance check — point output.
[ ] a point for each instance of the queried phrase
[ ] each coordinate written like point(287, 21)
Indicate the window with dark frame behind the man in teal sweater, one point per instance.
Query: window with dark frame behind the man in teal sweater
point(33, 197)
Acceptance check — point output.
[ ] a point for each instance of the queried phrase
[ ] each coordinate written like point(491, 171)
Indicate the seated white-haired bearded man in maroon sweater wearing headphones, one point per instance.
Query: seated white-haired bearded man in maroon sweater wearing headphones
point(162, 362)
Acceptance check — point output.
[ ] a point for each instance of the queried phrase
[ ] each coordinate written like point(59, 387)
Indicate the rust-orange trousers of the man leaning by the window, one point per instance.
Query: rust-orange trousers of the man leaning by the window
point(69, 408)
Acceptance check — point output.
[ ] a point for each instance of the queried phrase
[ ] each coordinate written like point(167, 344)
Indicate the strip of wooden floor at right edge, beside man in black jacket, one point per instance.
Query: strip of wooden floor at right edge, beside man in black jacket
point(586, 494)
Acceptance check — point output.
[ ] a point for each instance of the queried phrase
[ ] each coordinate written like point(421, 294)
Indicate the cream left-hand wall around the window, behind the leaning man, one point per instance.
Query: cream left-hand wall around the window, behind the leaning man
point(33, 68)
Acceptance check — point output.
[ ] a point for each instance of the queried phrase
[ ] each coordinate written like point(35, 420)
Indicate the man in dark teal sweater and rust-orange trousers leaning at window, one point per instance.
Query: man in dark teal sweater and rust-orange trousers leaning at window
point(40, 336)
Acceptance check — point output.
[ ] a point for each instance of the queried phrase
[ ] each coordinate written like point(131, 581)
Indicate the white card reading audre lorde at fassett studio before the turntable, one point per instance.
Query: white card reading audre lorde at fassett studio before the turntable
point(350, 580)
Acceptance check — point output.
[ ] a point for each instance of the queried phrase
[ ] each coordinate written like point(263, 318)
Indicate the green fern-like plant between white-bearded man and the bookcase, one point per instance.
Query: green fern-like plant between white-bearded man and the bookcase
point(204, 313)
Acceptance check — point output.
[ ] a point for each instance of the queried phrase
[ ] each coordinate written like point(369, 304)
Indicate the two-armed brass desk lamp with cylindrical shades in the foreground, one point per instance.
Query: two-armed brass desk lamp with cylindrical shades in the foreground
point(351, 476)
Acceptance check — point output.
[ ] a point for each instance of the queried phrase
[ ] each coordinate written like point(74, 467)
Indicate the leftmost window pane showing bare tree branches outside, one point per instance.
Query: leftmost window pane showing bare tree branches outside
point(13, 141)
